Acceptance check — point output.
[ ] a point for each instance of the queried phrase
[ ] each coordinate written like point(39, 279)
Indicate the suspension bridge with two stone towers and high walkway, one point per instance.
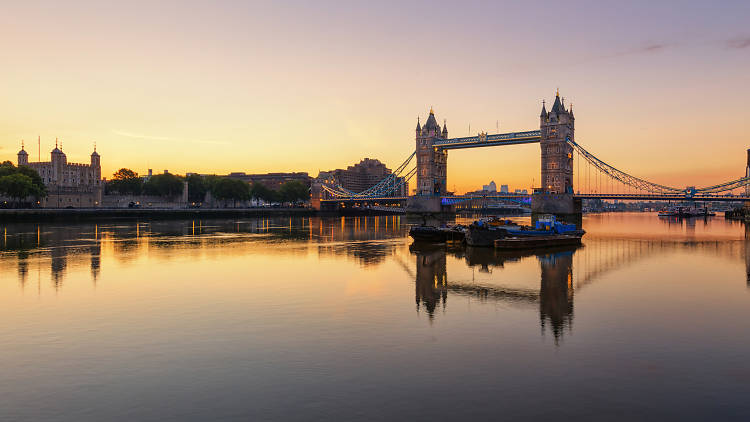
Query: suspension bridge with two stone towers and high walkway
point(596, 179)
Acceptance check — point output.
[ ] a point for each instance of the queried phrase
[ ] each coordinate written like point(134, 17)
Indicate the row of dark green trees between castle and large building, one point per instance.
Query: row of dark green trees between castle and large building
point(127, 182)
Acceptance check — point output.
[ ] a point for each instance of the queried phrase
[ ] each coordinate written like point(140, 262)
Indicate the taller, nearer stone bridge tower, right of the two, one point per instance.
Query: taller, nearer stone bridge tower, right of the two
point(557, 156)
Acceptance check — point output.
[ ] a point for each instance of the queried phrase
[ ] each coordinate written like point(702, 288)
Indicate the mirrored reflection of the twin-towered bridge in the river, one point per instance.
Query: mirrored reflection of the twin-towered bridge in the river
point(562, 272)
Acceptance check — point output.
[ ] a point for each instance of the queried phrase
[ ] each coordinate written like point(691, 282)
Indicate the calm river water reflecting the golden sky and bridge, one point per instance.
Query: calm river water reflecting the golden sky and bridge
point(342, 319)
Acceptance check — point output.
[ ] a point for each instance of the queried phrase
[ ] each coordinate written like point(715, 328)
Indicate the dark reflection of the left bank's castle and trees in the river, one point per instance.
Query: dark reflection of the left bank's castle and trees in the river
point(369, 240)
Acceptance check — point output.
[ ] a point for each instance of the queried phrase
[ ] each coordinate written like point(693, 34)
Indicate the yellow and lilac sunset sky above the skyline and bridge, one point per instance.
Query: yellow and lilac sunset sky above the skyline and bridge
point(660, 89)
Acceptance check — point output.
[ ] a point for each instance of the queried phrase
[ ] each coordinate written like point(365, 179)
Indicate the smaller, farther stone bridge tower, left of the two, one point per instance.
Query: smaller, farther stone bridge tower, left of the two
point(431, 162)
